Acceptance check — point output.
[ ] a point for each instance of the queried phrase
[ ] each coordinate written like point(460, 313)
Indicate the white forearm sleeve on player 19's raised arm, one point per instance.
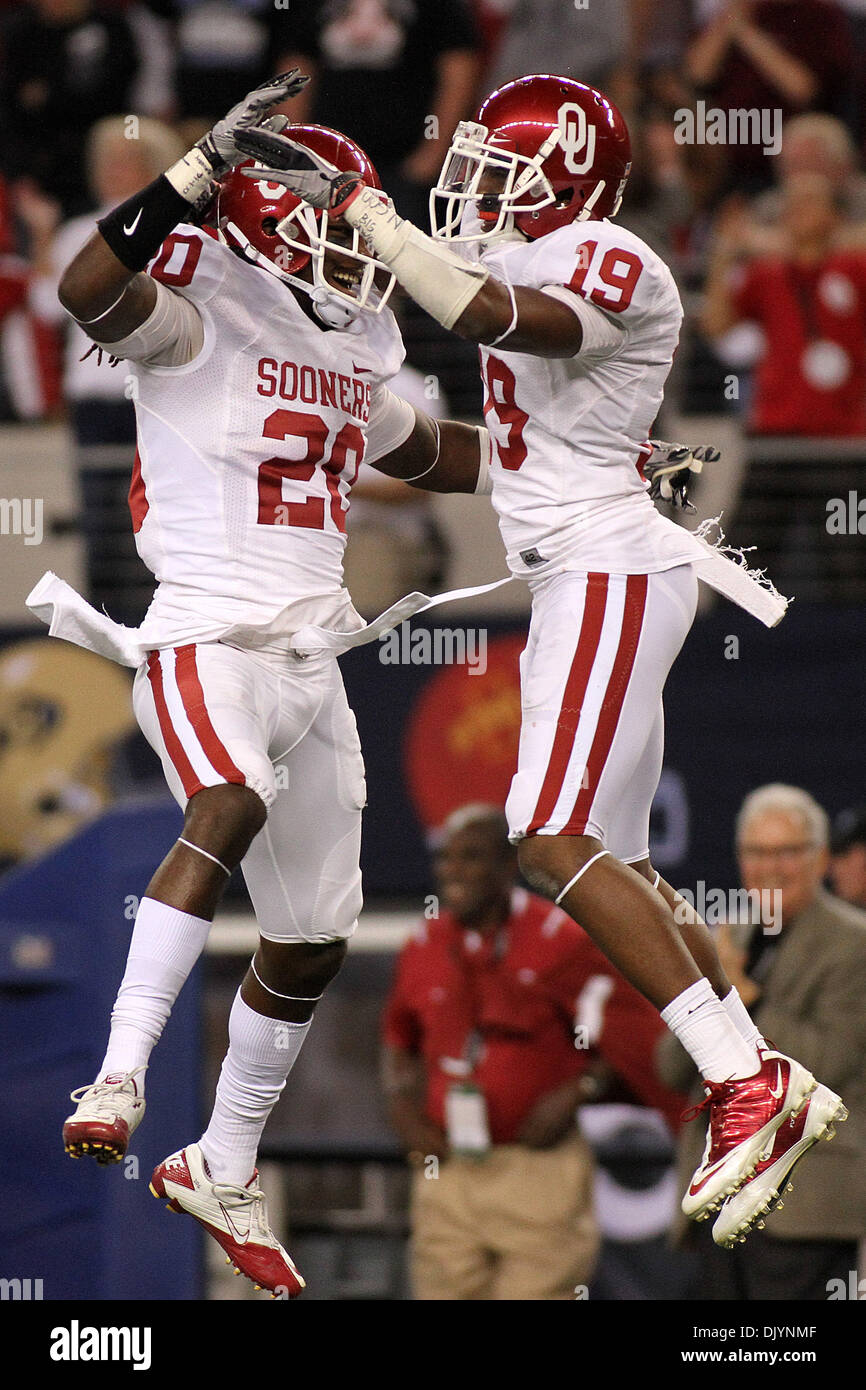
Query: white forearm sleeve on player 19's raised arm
point(439, 280)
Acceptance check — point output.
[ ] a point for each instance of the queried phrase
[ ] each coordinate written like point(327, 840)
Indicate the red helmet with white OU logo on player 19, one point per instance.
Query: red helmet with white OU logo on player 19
point(543, 152)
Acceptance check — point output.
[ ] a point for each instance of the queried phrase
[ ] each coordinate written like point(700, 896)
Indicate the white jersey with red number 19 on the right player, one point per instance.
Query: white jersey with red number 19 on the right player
point(569, 434)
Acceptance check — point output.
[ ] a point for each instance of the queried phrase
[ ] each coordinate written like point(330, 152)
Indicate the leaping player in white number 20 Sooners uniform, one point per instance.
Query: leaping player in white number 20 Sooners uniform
point(259, 348)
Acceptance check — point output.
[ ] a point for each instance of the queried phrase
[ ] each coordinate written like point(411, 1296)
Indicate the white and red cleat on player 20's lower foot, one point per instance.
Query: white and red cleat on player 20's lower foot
point(236, 1217)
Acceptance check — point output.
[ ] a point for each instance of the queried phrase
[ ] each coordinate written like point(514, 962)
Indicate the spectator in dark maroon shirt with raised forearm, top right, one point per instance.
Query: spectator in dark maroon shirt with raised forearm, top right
point(778, 56)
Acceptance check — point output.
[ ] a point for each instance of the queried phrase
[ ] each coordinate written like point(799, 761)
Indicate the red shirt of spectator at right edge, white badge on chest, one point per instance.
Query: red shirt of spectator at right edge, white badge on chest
point(812, 376)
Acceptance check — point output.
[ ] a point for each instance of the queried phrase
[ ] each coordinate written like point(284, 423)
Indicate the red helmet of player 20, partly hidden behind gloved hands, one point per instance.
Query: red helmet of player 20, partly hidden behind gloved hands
point(283, 236)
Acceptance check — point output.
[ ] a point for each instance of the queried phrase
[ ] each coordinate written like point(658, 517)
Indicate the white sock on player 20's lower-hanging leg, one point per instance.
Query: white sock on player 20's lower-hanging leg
point(261, 1056)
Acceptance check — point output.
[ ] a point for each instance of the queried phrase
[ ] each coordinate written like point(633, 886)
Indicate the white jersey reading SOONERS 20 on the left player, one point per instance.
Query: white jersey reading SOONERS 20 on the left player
point(248, 454)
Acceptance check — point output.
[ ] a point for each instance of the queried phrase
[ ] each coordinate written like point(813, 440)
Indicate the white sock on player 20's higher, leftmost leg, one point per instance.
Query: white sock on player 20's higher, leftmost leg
point(166, 945)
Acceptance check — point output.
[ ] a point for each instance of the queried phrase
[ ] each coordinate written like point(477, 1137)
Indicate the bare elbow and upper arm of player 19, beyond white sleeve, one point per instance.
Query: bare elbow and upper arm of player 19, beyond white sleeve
point(544, 329)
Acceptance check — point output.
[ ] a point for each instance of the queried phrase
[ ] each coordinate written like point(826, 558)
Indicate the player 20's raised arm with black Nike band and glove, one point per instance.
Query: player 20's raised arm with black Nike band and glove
point(104, 287)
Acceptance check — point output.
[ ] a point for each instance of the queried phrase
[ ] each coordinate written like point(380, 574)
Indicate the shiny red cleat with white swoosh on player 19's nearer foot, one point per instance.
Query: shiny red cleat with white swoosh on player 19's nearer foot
point(744, 1120)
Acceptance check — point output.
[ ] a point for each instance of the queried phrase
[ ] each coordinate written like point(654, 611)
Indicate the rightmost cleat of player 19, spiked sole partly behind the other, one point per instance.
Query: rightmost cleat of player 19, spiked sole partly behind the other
point(761, 1195)
